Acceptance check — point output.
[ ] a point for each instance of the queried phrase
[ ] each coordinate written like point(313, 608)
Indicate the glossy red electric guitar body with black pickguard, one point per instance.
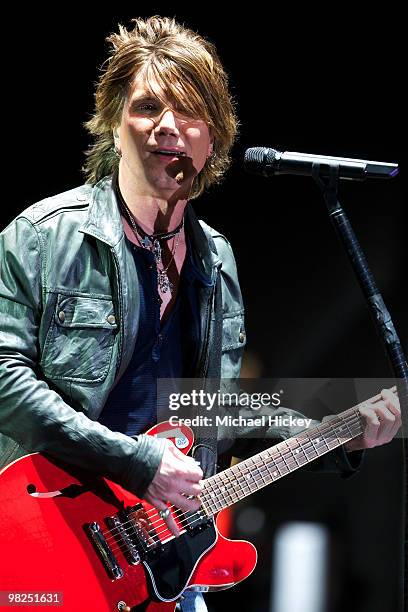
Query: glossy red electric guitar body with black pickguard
point(64, 531)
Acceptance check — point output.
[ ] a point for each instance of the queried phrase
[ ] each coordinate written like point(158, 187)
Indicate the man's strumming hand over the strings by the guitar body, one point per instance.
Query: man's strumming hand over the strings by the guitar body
point(177, 478)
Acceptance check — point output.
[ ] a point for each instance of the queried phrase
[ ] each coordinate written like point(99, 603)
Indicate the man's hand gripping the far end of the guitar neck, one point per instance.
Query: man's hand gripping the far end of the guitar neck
point(382, 421)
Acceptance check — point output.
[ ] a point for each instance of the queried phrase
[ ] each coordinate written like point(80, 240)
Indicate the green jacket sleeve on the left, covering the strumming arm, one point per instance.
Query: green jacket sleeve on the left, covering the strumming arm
point(31, 413)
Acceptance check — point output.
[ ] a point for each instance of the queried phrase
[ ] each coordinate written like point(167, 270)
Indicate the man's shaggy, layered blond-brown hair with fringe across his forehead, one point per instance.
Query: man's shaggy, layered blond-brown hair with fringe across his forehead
point(187, 68)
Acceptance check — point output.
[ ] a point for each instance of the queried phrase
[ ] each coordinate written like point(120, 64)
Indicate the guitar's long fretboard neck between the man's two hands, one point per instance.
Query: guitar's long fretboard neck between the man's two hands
point(233, 484)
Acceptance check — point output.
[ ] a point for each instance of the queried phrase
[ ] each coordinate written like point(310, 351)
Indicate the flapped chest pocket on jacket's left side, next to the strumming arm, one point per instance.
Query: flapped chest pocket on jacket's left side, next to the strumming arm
point(79, 343)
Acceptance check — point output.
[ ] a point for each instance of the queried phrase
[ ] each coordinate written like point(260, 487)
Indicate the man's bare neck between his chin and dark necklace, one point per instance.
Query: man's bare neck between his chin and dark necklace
point(154, 214)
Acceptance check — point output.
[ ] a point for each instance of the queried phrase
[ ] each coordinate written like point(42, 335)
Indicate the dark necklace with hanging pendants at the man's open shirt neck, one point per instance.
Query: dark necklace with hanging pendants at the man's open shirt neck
point(151, 242)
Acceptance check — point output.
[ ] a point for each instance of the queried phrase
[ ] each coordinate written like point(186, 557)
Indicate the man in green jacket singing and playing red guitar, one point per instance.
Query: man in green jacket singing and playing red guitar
point(113, 285)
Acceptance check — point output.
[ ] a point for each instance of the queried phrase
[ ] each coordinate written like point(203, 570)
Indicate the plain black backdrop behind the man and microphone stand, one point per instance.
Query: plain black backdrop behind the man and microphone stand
point(316, 80)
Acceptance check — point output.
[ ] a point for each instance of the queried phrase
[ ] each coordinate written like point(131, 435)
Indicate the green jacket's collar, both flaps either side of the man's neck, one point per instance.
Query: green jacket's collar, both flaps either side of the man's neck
point(104, 222)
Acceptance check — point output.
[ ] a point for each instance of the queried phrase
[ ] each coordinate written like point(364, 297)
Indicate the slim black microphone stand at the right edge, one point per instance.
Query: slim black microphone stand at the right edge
point(383, 324)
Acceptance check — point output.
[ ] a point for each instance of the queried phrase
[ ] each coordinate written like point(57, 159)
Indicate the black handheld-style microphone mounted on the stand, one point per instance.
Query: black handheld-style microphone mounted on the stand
point(268, 162)
